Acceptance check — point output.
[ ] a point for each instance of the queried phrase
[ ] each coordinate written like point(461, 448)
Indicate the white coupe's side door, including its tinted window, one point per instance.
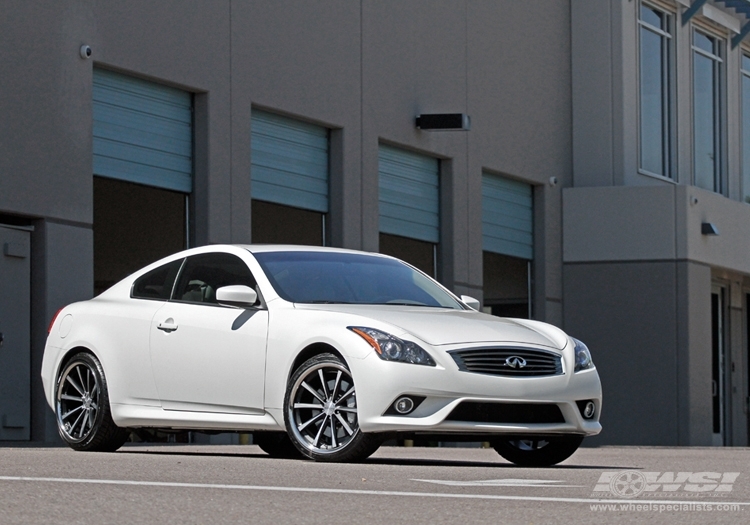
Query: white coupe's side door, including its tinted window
point(207, 357)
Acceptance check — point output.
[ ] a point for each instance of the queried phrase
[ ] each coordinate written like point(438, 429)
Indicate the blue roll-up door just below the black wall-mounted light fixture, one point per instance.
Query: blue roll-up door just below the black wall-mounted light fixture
point(409, 194)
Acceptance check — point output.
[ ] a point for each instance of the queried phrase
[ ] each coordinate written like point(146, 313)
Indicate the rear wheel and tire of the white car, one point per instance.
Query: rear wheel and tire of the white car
point(84, 420)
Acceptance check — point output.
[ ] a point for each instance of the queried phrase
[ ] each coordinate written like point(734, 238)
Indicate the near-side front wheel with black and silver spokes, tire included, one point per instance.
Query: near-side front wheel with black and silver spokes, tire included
point(321, 412)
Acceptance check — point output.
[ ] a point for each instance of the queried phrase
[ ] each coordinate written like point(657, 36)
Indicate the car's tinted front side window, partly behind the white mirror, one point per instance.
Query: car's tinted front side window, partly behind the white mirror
point(204, 274)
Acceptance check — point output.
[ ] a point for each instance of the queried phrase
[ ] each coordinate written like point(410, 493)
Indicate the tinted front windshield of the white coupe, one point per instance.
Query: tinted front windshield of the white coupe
point(350, 278)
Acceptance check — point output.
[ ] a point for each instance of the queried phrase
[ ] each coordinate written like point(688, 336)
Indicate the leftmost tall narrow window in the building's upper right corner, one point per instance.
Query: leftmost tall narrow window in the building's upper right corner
point(655, 92)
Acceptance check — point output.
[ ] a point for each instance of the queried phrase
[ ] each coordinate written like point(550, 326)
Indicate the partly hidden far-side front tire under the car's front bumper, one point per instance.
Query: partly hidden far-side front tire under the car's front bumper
point(538, 452)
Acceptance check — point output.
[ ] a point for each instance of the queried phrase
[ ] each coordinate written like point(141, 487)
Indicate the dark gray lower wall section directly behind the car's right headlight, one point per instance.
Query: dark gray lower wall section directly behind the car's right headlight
point(625, 313)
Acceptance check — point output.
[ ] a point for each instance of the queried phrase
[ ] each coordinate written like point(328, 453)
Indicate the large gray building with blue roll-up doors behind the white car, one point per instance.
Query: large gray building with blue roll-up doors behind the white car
point(602, 185)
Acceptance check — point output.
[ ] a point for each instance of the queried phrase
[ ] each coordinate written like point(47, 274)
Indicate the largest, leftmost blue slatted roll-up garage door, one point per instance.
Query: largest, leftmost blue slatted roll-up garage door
point(143, 132)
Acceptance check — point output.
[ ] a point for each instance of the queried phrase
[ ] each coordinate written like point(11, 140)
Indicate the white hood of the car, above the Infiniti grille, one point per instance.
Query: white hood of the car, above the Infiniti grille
point(437, 326)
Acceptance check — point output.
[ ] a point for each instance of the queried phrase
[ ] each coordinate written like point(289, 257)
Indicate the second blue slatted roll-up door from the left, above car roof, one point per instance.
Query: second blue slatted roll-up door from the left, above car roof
point(289, 162)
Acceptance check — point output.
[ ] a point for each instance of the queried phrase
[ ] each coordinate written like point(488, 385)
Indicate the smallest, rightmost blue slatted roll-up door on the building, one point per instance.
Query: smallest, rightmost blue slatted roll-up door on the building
point(507, 217)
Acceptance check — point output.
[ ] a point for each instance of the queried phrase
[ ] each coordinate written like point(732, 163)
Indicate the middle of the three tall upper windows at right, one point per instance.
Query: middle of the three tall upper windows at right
point(707, 121)
